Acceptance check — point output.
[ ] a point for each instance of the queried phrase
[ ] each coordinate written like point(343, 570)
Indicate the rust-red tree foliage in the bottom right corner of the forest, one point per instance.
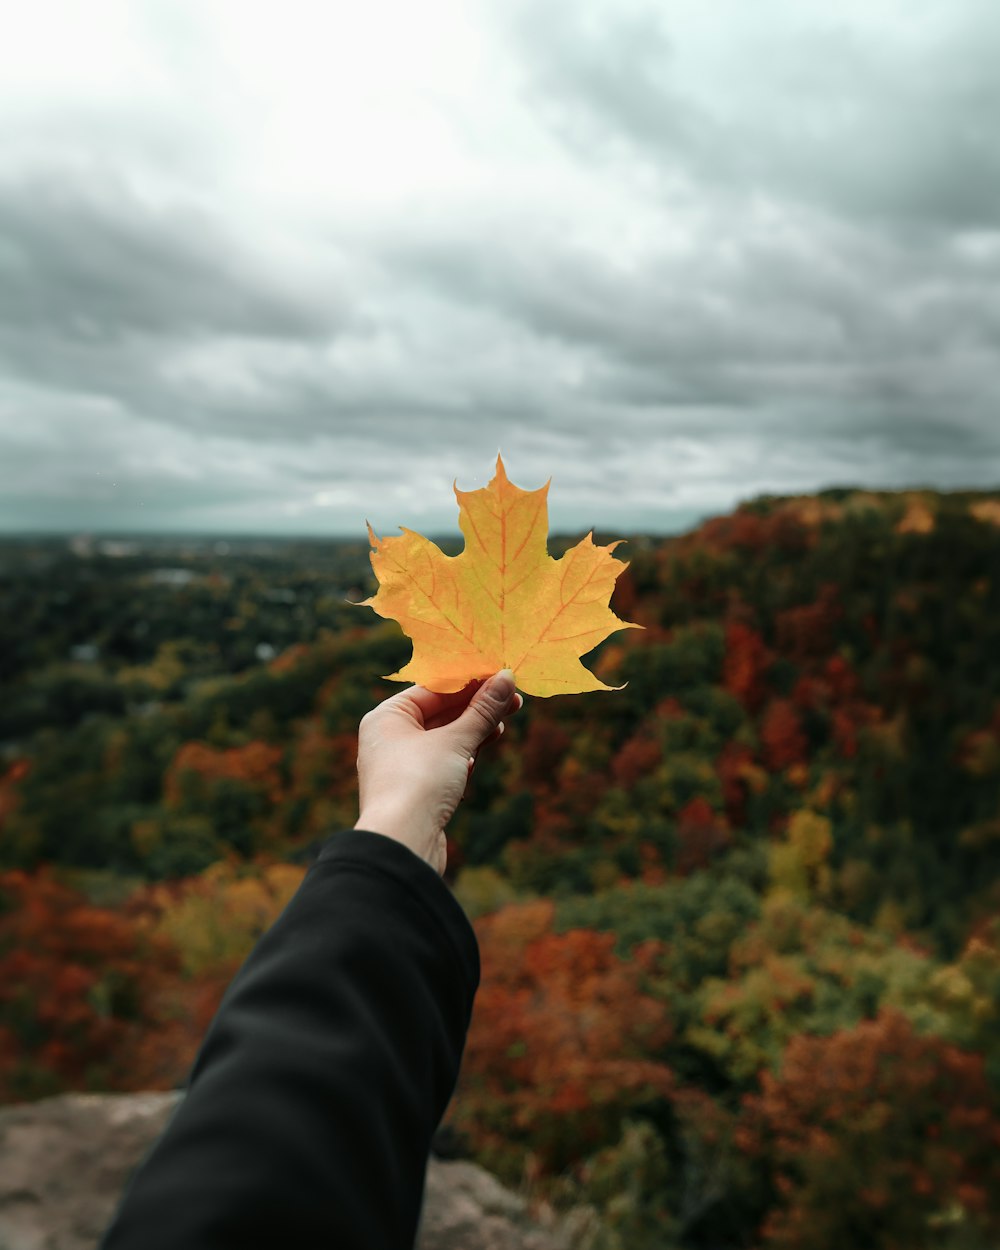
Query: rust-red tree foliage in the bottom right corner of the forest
point(881, 1129)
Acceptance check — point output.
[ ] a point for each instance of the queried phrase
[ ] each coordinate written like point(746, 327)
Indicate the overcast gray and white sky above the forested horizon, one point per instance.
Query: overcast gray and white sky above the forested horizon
point(281, 268)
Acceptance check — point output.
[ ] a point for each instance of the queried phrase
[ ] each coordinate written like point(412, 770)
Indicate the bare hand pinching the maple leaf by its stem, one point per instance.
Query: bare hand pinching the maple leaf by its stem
point(416, 753)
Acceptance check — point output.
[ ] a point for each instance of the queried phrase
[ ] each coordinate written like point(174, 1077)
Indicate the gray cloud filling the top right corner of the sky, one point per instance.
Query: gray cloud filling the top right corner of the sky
point(888, 119)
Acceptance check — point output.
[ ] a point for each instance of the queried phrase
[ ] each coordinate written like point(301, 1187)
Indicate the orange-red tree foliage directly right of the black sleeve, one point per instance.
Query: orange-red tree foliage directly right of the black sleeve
point(561, 1042)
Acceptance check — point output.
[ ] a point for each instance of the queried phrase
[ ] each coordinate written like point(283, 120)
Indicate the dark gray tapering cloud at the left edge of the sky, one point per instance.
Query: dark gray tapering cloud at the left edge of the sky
point(96, 263)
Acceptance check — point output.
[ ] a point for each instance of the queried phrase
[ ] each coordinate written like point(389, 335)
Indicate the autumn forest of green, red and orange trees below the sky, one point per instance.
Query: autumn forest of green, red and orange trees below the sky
point(739, 921)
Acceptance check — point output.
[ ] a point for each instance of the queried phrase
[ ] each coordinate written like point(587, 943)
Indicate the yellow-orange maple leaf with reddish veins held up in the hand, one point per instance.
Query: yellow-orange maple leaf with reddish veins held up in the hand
point(503, 602)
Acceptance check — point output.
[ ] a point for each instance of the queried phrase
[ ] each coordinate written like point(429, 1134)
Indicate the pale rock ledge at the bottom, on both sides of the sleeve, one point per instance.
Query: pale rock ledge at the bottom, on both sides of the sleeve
point(64, 1163)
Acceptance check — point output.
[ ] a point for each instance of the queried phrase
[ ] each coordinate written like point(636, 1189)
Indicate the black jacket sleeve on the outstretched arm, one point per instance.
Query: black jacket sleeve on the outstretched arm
point(326, 1072)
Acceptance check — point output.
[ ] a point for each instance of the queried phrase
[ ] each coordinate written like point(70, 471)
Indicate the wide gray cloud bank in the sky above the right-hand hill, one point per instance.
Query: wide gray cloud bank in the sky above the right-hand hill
point(893, 337)
